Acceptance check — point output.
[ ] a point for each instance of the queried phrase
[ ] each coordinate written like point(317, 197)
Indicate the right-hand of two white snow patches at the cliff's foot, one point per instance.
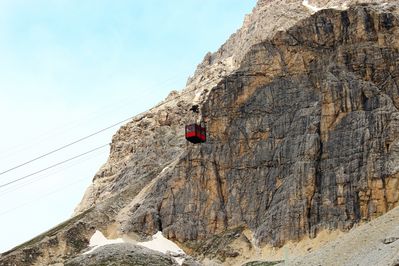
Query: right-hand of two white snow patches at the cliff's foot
point(164, 245)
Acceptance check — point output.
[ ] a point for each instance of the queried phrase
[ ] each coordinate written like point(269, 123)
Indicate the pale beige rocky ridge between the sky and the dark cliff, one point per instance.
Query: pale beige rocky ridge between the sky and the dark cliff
point(143, 136)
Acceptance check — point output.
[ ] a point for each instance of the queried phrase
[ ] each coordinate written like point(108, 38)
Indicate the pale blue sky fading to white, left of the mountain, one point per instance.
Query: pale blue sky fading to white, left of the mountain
point(69, 68)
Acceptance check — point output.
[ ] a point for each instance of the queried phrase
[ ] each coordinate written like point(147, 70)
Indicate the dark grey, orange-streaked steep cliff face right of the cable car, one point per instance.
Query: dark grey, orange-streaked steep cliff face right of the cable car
point(303, 136)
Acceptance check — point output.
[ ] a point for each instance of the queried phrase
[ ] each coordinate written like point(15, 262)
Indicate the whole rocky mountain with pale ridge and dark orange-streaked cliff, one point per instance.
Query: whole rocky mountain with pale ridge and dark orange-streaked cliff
point(301, 108)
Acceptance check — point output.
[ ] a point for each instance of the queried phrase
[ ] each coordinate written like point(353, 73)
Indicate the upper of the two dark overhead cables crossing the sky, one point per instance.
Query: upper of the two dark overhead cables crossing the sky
point(98, 132)
